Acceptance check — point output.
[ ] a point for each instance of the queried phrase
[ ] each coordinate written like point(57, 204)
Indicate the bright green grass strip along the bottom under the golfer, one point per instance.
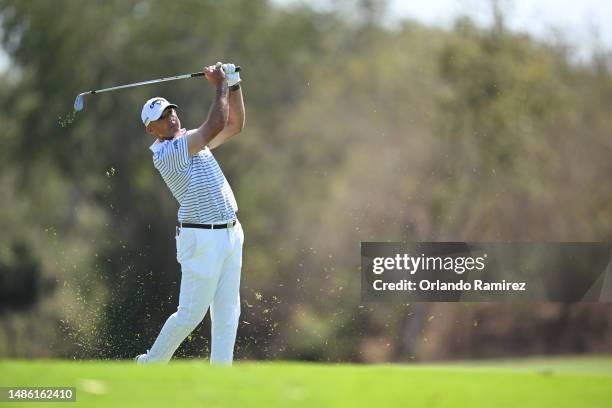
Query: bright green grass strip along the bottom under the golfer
point(550, 382)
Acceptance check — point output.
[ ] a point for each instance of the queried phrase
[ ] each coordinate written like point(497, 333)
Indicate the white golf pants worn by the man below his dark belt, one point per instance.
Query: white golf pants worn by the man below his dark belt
point(210, 265)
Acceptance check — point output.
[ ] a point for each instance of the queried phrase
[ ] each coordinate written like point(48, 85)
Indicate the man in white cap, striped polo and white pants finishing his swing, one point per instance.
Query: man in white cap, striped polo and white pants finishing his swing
point(209, 237)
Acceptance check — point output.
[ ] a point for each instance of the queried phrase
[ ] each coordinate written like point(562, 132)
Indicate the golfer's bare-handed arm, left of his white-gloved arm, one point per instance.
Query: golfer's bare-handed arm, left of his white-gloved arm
point(217, 115)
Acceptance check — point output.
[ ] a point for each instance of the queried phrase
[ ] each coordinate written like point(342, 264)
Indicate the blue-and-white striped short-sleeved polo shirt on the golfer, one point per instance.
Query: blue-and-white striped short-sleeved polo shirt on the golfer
point(197, 182)
